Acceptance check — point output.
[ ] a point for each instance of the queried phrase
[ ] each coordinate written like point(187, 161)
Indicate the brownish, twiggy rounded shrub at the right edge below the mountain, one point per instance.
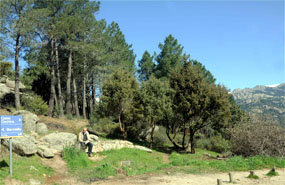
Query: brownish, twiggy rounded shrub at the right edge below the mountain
point(258, 138)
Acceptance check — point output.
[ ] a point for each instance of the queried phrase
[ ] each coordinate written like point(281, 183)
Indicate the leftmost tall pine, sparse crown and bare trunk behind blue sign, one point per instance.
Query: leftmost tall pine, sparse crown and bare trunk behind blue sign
point(17, 26)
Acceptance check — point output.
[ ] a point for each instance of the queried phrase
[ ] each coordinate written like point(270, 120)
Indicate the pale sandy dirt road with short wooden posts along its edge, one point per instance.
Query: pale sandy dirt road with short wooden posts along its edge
point(200, 179)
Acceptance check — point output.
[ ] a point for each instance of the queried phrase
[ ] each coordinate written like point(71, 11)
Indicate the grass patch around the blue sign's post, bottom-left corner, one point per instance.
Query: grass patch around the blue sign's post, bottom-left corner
point(24, 168)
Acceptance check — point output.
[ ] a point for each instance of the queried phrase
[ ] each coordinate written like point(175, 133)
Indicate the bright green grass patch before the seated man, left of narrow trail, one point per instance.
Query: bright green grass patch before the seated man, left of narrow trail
point(115, 162)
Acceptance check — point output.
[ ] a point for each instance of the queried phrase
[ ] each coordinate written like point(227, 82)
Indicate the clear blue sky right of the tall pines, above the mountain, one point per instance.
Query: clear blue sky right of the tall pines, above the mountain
point(240, 42)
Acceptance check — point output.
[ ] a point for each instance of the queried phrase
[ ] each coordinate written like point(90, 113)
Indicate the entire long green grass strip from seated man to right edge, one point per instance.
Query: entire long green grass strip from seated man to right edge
point(134, 162)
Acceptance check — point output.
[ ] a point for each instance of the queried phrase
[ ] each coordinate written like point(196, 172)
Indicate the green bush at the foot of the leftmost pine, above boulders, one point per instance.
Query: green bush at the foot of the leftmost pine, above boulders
point(34, 103)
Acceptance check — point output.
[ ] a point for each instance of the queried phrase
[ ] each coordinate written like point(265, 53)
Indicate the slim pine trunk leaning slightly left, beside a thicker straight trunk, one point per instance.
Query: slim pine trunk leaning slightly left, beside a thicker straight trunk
point(60, 100)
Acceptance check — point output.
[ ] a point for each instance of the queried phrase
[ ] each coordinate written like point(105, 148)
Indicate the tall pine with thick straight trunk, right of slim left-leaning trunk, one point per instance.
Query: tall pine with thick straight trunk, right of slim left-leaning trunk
point(71, 24)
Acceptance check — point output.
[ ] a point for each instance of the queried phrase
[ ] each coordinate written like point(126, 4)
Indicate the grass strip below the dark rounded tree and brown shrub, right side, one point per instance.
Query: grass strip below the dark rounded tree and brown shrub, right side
point(199, 163)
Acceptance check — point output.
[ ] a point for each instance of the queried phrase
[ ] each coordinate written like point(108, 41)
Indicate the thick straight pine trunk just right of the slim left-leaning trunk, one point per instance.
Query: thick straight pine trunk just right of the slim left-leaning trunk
point(68, 91)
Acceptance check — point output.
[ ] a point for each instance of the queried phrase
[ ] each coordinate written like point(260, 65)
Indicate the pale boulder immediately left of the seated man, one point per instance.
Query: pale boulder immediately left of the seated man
point(59, 140)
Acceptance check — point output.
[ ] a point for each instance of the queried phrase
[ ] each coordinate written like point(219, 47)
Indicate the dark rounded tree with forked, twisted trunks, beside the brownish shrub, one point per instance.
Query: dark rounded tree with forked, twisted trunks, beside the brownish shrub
point(196, 104)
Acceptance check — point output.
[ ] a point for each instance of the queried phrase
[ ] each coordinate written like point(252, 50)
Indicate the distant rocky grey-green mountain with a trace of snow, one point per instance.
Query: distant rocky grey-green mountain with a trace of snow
point(266, 100)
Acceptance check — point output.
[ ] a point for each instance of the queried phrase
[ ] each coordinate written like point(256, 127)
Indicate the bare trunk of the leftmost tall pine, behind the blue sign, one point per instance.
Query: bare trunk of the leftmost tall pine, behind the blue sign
point(17, 74)
